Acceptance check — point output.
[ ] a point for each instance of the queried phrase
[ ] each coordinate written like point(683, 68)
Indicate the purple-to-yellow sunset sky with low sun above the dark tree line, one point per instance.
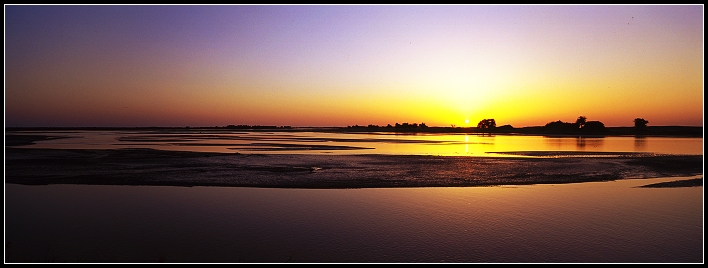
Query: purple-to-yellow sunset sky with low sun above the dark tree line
point(340, 65)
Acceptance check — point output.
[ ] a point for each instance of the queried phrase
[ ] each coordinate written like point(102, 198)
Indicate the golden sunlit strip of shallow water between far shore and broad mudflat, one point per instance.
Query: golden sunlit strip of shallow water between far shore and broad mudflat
point(361, 143)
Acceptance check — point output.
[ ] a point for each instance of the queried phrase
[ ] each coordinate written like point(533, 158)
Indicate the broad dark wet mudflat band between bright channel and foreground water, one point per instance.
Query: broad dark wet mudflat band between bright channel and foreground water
point(33, 166)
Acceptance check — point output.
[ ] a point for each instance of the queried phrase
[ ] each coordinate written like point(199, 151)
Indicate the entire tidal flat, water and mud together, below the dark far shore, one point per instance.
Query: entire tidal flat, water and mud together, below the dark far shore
point(119, 197)
